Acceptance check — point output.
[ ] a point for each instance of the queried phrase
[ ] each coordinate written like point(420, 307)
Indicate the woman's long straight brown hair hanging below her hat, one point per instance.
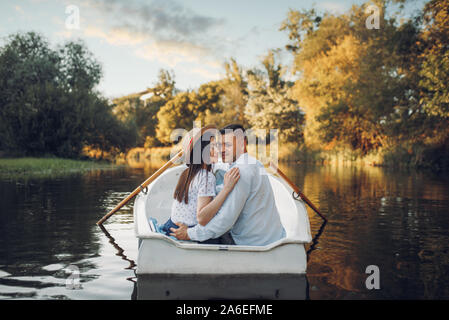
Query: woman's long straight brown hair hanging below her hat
point(187, 176)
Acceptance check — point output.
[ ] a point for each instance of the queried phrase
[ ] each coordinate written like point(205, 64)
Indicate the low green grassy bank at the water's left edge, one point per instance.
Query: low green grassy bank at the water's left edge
point(42, 167)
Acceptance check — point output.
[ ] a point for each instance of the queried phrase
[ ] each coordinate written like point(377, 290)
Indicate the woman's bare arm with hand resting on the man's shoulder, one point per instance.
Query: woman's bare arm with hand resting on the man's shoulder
point(208, 206)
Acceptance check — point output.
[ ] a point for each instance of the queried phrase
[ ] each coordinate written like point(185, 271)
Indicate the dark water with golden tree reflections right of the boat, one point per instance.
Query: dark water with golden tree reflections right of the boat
point(379, 217)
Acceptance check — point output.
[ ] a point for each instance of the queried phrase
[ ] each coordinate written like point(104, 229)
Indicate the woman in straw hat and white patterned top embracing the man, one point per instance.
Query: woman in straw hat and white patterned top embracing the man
point(195, 199)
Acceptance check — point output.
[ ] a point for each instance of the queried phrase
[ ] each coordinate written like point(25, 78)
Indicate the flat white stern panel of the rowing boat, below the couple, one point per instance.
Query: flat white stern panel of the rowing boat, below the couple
point(158, 256)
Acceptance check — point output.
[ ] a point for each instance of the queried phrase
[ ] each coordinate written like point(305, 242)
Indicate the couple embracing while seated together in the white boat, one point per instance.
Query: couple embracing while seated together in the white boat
point(223, 202)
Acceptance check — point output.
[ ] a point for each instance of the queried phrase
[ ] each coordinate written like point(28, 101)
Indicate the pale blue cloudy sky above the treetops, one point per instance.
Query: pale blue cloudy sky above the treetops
point(134, 39)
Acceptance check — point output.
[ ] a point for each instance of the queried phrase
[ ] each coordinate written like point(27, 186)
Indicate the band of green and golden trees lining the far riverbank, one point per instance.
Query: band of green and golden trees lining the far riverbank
point(379, 96)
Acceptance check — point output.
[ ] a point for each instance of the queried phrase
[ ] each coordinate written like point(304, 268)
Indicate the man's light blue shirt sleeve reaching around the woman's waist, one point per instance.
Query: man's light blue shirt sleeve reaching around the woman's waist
point(228, 213)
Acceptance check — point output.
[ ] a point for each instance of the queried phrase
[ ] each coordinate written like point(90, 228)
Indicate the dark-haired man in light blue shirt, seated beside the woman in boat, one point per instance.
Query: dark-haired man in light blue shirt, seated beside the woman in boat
point(249, 212)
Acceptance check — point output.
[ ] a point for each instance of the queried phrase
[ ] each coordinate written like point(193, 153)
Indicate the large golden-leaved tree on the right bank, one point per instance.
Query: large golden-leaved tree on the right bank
point(357, 85)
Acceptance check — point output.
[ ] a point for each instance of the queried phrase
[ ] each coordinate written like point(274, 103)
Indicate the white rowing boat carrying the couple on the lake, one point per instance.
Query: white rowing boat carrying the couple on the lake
point(161, 255)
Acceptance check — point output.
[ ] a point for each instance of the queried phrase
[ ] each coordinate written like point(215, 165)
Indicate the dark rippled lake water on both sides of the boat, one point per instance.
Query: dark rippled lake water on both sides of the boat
point(395, 220)
